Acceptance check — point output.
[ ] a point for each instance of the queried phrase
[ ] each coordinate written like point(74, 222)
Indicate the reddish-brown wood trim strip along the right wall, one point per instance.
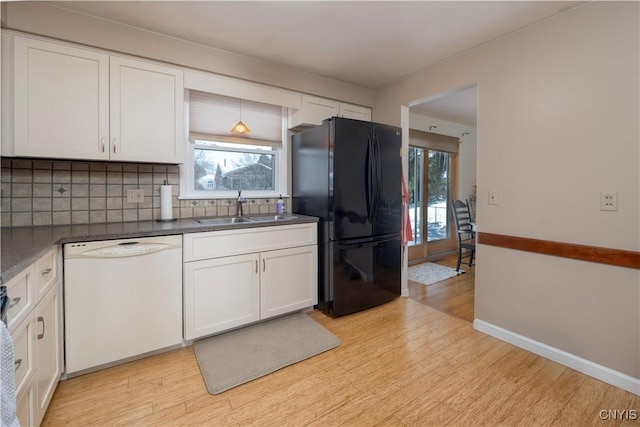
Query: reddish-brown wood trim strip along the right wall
point(617, 257)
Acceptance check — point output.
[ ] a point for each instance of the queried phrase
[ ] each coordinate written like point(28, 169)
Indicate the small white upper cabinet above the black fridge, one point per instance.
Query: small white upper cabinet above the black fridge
point(314, 110)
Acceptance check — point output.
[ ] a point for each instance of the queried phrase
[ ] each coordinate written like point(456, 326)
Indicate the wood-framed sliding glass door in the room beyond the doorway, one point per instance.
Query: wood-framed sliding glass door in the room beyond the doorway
point(431, 186)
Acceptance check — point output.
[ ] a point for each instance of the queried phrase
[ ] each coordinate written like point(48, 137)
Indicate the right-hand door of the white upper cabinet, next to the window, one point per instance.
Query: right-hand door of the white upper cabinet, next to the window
point(146, 112)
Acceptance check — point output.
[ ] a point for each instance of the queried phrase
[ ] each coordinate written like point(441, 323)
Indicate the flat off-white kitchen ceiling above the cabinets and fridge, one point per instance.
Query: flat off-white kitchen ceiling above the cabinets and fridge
point(366, 43)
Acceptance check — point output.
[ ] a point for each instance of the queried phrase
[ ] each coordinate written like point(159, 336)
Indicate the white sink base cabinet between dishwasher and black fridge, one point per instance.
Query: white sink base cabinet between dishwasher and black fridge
point(255, 274)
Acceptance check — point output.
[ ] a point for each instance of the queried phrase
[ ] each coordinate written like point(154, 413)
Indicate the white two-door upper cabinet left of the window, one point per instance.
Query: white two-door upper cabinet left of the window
point(76, 103)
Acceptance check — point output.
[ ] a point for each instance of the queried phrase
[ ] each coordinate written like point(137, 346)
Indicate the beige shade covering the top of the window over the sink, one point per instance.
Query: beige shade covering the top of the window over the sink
point(211, 118)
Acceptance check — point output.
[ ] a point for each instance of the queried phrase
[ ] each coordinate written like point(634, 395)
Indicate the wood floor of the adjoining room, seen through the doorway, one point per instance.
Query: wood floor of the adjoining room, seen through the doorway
point(453, 296)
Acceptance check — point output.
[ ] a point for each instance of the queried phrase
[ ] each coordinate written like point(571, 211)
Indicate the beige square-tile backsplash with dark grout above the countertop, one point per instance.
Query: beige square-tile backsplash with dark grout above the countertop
point(57, 192)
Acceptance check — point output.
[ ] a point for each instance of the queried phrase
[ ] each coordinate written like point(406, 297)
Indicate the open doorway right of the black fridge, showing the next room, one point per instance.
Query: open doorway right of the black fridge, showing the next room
point(454, 114)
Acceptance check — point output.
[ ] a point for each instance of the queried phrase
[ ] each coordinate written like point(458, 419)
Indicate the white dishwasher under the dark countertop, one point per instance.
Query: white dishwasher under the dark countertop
point(122, 299)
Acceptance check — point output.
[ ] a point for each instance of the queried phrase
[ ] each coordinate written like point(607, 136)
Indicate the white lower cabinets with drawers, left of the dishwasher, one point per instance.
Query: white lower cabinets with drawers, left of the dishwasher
point(37, 338)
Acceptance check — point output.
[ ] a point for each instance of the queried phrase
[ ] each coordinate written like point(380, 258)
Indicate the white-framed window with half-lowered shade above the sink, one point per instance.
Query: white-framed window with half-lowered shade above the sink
point(220, 163)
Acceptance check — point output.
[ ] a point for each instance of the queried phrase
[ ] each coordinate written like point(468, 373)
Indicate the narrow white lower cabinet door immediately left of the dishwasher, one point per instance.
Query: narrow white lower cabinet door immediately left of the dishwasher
point(48, 348)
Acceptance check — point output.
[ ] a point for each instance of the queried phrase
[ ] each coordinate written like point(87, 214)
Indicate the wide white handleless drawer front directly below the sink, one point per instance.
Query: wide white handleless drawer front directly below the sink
point(217, 244)
